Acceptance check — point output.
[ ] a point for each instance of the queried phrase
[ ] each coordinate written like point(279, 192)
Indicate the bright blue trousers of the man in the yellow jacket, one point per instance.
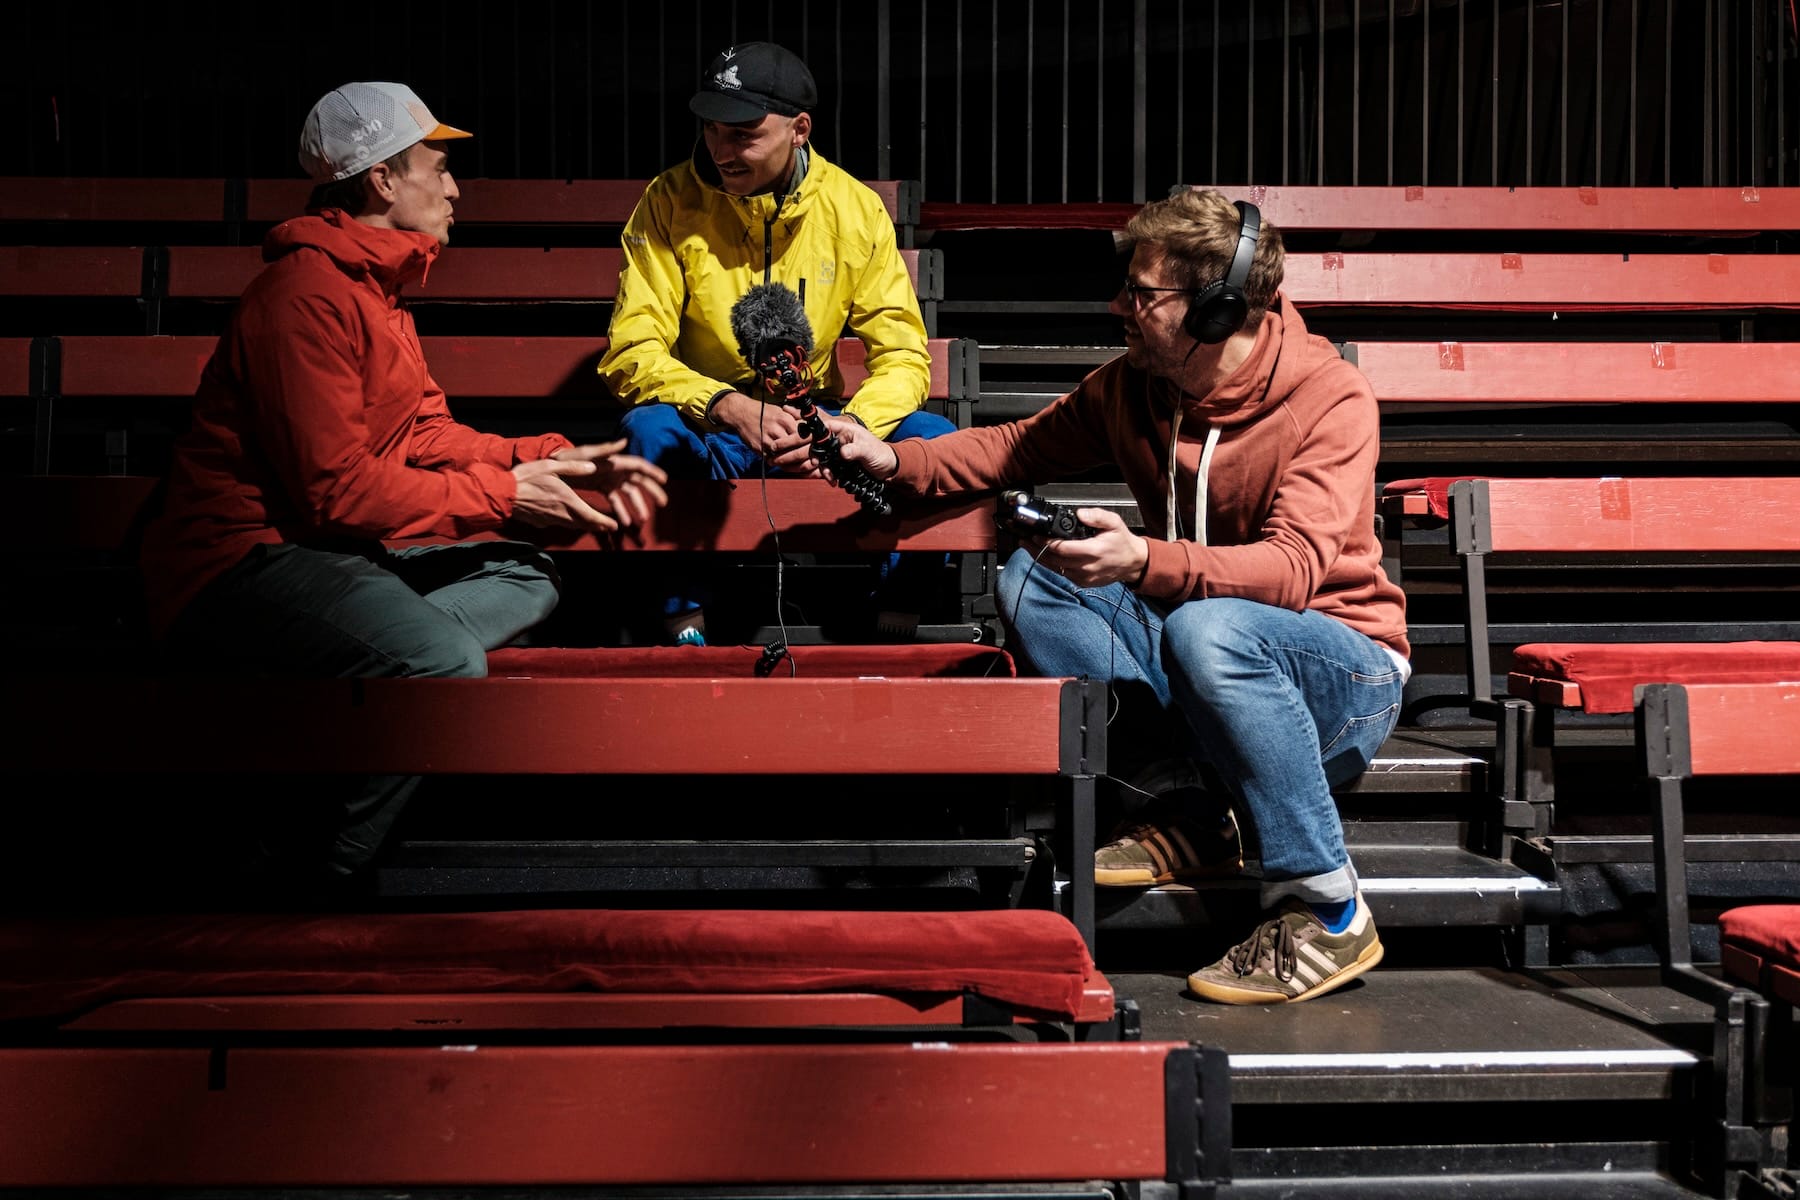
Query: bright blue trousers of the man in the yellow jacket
point(658, 433)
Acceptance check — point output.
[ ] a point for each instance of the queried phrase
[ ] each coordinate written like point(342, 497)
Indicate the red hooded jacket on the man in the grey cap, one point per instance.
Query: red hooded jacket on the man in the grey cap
point(318, 418)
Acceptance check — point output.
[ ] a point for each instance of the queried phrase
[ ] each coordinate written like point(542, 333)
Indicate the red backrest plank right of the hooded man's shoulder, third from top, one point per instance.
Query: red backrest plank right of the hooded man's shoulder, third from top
point(1581, 373)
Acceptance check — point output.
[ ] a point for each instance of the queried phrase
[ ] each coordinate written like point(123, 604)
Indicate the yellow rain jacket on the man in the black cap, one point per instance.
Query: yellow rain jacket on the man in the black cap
point(692, 251)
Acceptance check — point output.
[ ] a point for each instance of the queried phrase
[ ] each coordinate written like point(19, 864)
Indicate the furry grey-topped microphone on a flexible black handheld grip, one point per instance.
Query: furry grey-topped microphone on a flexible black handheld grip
point(775, 339)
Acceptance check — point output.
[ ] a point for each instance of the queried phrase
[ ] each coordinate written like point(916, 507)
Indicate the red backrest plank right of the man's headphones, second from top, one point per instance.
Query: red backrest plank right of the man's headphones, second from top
point(1547, 282)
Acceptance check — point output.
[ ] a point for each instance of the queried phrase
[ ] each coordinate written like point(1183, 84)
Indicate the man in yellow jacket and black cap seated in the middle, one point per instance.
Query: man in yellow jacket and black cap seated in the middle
point(757, 206)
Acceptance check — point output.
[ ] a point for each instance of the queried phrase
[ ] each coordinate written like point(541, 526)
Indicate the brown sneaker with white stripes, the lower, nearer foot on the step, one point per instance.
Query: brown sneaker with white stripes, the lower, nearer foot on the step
point(1291, 958)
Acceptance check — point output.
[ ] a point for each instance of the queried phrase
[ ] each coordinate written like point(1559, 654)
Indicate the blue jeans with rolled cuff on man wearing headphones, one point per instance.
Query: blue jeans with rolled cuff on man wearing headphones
point(1284, 704)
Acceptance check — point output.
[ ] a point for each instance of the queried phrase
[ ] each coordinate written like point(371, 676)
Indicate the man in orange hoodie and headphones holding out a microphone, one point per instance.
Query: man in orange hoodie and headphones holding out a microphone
point(1255, 614)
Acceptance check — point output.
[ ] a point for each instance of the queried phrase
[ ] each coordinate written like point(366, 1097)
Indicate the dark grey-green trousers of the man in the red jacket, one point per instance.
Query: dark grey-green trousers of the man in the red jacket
point(361, 613)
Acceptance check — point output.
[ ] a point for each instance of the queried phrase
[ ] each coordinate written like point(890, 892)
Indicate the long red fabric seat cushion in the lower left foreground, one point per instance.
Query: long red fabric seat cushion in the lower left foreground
point(1018, 956)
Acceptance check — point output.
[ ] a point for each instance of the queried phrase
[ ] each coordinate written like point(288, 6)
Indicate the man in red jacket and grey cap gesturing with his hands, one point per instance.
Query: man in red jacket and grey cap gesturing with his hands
point(319, 434)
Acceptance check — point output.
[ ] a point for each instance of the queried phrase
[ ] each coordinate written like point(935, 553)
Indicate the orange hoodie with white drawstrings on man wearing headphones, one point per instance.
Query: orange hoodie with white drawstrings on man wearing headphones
point(1290, 485)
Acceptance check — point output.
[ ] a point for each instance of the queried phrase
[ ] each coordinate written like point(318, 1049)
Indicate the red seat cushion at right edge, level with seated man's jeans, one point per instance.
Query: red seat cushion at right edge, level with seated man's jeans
point(1608, 674)
